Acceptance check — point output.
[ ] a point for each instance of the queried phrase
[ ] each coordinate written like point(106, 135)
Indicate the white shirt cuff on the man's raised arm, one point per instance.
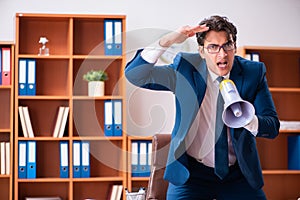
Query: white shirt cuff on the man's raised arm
point(152, 54)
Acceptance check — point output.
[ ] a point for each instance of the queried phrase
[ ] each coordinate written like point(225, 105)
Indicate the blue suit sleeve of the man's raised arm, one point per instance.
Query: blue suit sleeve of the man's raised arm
point(146, 75)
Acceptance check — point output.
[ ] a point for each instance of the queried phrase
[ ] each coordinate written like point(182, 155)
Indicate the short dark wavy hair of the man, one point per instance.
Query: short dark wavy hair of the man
point(217, 23)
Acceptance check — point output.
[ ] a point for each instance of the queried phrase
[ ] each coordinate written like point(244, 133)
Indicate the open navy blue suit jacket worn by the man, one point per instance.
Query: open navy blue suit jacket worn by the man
point(186, 77)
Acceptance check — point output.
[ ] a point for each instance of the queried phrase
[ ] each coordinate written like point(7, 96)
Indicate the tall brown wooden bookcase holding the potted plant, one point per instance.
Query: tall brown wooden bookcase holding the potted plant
point(76, 45)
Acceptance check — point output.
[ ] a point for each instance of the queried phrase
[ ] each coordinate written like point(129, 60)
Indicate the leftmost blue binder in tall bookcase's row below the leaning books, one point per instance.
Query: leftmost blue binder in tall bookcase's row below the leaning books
point(22, 168)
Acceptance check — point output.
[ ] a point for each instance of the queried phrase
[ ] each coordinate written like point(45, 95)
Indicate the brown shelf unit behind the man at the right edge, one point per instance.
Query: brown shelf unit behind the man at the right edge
point(283, 75)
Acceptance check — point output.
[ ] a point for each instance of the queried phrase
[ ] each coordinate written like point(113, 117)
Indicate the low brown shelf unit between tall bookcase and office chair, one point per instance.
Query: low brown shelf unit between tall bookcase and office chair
point(134, 183)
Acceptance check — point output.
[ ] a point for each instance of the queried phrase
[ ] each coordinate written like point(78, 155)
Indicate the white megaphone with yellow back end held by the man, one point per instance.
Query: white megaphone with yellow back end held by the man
point(237, 112)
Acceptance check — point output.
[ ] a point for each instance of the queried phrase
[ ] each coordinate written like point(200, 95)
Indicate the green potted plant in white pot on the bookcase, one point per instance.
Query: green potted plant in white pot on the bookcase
point(95, 79)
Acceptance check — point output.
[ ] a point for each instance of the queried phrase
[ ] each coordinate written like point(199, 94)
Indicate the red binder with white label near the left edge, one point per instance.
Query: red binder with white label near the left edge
point(6, 66)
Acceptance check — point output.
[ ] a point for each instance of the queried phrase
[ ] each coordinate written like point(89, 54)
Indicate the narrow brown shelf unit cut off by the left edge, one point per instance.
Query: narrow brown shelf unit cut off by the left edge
point(6, 123)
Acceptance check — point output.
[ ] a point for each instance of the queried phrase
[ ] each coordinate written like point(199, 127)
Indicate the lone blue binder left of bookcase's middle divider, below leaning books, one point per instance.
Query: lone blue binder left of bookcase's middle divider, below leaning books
point(64, 159)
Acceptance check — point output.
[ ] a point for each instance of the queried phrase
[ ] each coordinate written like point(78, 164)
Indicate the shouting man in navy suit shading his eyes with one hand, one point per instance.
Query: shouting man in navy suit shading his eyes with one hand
point(195, 169)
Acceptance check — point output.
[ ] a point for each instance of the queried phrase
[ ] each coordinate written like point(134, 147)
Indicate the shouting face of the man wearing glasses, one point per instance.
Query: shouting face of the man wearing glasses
point(219, 62)
